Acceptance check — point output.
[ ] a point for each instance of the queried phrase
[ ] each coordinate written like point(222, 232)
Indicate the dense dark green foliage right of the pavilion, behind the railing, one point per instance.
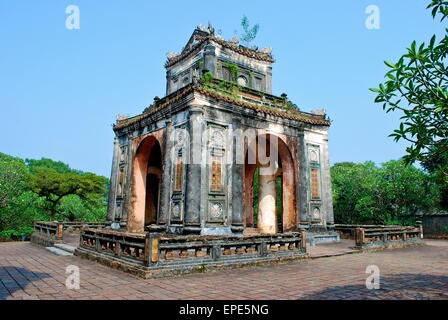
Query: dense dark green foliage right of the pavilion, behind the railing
point(390, 194)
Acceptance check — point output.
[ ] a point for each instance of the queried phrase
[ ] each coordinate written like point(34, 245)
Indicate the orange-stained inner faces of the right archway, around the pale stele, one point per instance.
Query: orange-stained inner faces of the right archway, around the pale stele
point(287, 173)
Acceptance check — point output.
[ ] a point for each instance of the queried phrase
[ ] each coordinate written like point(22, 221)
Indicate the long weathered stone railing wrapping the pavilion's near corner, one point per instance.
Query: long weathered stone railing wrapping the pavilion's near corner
point(153, 254)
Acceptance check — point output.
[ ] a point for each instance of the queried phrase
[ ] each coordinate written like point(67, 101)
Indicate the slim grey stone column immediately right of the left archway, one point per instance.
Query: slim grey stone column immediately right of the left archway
point(165, 185)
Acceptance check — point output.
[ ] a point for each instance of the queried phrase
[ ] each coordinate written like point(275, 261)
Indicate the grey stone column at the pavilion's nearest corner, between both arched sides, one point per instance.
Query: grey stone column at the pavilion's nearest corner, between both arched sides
point(193, 172)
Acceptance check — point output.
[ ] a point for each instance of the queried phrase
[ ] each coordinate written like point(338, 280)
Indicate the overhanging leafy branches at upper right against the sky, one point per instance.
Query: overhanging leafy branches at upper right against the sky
point(417, 86)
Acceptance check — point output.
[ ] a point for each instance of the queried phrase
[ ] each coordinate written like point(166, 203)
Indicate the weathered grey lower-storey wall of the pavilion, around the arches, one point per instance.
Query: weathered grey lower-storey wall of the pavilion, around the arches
point(194, 207)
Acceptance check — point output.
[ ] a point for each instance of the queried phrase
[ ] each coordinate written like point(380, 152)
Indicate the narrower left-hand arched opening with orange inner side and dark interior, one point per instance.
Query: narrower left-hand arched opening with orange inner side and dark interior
point(146, 180)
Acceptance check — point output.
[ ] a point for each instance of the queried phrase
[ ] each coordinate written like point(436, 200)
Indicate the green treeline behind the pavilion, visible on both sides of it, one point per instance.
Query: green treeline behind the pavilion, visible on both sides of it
point(363, 193)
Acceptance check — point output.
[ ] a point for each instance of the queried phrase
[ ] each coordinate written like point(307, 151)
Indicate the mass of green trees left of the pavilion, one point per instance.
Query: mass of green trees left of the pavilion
point(29, 190)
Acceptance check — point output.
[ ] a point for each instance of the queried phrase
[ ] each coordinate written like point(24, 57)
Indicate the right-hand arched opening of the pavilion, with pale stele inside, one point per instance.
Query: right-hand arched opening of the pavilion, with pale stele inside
point(269, 195)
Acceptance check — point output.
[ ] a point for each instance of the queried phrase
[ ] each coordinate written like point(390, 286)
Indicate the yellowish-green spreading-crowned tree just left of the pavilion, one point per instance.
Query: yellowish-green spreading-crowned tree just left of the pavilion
point(54, 187)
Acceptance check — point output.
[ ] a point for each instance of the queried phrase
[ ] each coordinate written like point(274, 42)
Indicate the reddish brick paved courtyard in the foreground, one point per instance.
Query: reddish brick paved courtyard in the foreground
point(31, 272)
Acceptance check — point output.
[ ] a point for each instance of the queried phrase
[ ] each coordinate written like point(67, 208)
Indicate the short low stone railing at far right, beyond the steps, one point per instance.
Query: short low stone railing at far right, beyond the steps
point(387, 237)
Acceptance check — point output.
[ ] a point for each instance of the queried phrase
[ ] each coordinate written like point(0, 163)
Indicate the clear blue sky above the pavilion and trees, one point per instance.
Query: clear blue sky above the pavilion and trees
point(60, 89)
